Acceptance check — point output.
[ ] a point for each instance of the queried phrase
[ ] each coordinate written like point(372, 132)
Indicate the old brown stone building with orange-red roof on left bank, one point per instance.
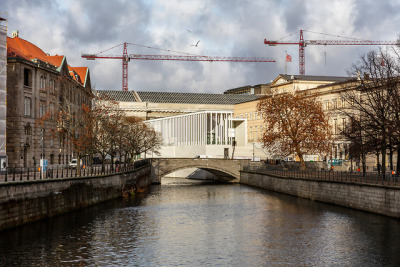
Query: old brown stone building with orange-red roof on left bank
point(37, 86)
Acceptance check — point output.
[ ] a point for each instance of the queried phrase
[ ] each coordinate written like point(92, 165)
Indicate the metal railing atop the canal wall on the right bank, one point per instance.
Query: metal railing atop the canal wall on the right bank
point(373, 178)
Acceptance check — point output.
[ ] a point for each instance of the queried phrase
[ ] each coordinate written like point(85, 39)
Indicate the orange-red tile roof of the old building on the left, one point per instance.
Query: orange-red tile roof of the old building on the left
point(18, 47)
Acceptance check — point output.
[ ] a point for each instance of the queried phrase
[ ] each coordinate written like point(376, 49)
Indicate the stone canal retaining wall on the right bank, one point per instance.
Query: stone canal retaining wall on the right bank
point(379, 199)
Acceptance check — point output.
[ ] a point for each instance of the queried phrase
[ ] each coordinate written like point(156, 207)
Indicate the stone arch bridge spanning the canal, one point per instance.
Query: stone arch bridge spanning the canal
point(223, 169)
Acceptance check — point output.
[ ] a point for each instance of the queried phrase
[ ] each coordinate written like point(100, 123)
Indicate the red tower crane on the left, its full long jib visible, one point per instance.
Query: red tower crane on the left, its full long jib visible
point(126, 58)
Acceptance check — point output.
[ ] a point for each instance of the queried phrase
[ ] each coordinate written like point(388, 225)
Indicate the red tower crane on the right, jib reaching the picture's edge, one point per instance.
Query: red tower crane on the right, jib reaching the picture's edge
point(302, 45)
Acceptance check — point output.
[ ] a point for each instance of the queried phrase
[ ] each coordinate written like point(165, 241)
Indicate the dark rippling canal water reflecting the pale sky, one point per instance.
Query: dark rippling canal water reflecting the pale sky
point(192, 223)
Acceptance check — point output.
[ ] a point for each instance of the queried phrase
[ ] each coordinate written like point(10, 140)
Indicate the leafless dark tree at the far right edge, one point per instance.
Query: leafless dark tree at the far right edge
point(373, 103)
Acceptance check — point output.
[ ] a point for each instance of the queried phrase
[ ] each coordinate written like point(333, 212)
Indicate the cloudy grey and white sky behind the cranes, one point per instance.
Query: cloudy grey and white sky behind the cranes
point(234, 28)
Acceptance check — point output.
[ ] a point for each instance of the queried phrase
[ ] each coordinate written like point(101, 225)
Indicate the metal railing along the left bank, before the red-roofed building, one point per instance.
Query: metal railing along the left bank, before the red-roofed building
point(34, 173)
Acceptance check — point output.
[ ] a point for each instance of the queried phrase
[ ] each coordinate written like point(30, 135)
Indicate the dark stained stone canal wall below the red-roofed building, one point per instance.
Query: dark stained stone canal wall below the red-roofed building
point(28, 201)
